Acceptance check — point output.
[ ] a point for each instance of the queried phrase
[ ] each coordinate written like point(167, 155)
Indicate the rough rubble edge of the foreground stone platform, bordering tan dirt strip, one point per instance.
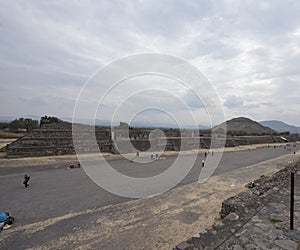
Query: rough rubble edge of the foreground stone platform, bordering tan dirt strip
point(238, 210)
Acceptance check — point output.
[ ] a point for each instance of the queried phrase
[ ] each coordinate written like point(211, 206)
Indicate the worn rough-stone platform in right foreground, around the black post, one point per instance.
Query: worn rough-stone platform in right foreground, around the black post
point(252, 221)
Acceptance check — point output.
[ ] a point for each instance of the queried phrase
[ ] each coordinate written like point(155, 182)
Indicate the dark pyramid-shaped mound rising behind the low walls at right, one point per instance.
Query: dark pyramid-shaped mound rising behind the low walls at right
point(245, 126)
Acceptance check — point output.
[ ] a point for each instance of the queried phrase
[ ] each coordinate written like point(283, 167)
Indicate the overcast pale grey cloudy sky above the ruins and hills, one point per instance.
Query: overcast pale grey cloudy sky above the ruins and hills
point(249, 51)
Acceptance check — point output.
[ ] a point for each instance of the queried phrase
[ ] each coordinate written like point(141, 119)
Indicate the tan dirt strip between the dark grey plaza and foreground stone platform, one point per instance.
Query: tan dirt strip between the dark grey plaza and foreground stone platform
point(158, 222)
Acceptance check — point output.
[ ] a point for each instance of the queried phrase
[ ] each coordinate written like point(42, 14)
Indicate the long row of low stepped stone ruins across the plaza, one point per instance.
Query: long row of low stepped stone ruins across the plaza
point(56, 139)
